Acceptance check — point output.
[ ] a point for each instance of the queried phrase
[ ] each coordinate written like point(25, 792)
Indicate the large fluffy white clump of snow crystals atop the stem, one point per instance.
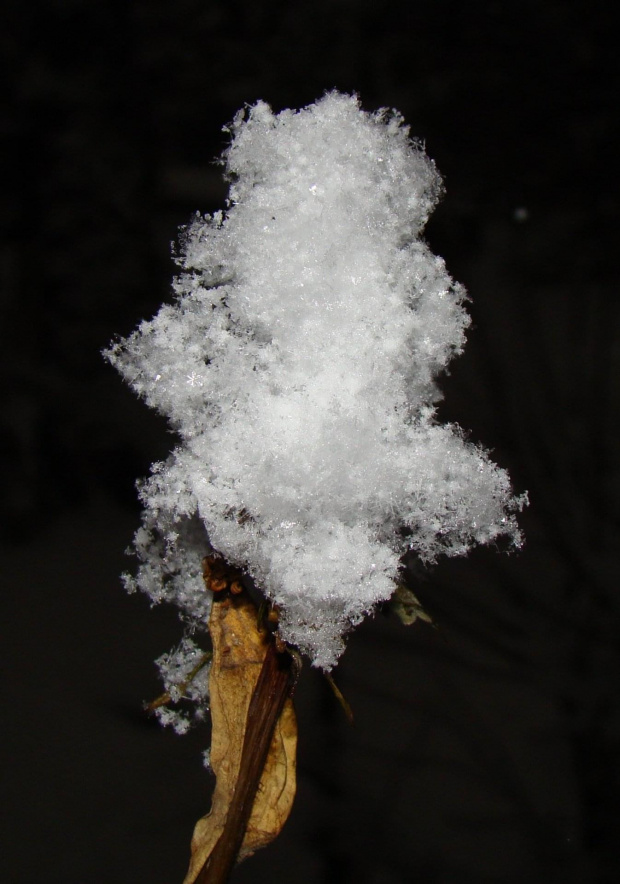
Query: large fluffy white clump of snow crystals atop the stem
point(298, 366)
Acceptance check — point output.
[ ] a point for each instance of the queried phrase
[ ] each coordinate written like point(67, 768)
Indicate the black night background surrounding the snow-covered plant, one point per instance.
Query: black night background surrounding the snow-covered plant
point(485, 750)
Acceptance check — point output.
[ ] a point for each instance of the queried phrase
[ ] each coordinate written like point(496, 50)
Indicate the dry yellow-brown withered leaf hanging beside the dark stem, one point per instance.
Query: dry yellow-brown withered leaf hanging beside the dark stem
point(241, 653)
